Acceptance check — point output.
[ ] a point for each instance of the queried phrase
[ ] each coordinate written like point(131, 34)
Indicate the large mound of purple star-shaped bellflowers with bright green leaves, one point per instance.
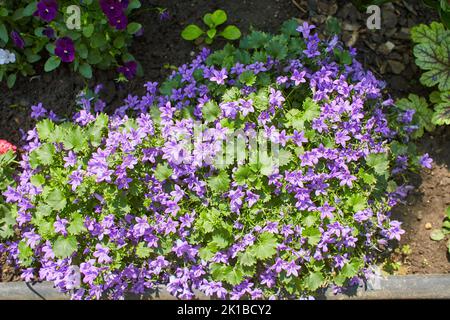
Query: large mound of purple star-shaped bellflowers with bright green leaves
point(135, 200)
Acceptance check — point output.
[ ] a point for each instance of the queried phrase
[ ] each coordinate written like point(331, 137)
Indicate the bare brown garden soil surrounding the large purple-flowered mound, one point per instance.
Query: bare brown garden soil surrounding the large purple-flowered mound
point(161, 44)
